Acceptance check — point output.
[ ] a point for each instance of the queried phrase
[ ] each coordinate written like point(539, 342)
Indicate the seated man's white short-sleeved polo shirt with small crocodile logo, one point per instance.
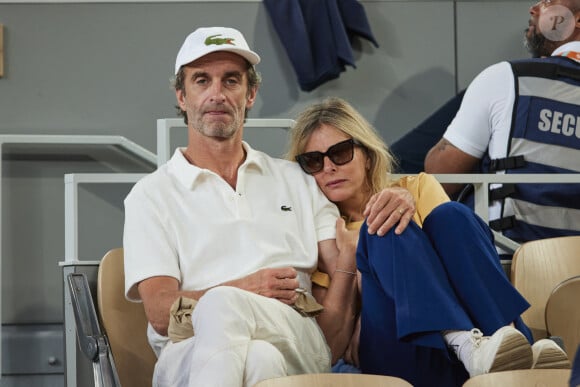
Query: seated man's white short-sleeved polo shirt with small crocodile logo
point(188, 223)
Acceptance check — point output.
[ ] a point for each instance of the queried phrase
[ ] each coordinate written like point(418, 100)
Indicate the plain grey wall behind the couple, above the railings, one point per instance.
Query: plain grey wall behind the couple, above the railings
point(105, 68)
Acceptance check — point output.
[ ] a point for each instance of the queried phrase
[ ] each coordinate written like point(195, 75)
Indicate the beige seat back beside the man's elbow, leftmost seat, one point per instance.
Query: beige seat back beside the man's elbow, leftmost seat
point(125, 324)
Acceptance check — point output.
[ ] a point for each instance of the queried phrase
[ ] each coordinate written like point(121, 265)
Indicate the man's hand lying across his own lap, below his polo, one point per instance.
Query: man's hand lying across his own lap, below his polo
point(279, 283)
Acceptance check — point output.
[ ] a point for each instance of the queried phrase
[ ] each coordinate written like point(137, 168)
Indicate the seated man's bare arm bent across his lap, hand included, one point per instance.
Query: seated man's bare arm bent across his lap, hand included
point(159, 293)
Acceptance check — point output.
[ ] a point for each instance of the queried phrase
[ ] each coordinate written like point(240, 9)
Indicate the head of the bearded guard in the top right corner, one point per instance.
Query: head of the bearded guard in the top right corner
point(552, 23)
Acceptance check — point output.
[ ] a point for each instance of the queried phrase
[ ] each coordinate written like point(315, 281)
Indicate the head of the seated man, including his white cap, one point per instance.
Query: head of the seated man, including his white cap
point(202, 86)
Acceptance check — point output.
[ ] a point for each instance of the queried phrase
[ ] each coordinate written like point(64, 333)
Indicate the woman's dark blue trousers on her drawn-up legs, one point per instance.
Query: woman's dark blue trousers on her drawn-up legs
point(446, 276)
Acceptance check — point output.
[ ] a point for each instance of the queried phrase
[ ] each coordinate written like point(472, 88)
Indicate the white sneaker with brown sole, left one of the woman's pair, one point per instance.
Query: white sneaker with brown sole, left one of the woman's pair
point(506, 349)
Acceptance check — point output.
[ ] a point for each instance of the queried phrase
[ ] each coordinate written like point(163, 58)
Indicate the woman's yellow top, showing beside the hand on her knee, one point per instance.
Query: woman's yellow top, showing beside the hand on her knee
point(428, 194)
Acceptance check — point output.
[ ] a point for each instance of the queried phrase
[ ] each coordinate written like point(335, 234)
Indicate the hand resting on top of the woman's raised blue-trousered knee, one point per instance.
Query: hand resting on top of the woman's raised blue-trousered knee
point(387, 208)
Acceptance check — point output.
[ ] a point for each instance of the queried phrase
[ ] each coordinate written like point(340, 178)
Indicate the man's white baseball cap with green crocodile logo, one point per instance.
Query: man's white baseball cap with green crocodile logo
point(211, 39)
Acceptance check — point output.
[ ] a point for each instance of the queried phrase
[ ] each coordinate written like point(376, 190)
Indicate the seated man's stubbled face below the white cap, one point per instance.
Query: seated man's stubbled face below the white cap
point(216, 95)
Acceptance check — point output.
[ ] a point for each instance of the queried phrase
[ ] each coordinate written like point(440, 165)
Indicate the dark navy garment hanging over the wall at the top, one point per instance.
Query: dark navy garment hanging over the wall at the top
point(316, 35)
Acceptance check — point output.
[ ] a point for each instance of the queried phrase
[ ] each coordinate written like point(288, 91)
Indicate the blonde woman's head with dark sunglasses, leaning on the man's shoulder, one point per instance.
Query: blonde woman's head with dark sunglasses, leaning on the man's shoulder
point(357, 162)
